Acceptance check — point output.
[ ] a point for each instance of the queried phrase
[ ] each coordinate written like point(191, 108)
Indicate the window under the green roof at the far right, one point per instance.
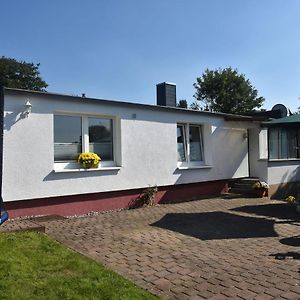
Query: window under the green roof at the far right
point(284, 142)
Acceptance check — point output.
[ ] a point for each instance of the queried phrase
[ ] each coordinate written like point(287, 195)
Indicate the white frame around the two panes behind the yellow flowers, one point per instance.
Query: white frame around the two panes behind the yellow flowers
point(73, 164)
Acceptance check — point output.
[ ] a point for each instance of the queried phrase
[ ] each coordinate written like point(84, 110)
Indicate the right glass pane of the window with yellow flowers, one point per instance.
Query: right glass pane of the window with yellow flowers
point(101, 137)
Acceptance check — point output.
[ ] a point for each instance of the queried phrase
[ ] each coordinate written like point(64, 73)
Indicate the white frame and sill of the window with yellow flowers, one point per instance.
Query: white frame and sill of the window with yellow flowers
point(61, 166)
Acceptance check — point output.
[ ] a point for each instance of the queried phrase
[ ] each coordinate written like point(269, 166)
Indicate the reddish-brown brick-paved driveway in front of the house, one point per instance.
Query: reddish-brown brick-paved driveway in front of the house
point(211, 249)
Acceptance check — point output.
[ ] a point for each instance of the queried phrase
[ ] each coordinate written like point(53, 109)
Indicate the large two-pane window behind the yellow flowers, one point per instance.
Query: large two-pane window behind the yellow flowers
point(76, 134)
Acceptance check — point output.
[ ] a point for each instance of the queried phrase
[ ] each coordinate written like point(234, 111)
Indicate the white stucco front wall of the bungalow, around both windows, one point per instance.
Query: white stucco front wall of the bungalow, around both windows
point(147, 149)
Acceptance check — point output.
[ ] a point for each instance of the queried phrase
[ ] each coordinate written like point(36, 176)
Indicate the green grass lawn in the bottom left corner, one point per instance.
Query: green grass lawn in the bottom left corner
point(32, 266)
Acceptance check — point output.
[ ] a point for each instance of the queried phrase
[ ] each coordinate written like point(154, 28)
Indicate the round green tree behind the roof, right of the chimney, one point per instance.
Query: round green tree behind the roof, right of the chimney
point(227, 91)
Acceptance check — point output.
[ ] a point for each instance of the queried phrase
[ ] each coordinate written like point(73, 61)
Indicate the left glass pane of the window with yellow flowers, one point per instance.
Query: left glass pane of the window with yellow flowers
point(67, 138)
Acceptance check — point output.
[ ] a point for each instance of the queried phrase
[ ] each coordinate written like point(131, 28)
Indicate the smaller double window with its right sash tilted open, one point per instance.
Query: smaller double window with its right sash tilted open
point(189, 144)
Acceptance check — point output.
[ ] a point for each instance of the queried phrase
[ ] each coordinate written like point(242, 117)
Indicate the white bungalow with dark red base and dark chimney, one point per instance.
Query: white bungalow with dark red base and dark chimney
point(188, 154)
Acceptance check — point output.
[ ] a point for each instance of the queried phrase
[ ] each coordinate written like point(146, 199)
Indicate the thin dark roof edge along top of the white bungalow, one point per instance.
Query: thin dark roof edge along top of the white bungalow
point(227, 117)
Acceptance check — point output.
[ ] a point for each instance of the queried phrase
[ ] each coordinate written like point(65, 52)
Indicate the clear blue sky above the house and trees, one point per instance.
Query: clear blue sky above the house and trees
point(114, 49)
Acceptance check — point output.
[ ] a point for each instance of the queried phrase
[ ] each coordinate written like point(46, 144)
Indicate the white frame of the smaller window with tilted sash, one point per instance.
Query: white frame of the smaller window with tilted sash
point(188, 163)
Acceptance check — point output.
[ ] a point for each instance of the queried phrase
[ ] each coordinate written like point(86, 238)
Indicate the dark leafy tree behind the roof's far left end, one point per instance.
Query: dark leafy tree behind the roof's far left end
point(21, 75)
